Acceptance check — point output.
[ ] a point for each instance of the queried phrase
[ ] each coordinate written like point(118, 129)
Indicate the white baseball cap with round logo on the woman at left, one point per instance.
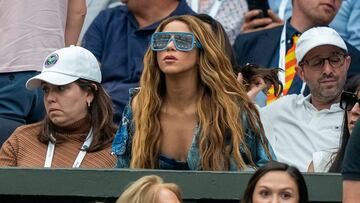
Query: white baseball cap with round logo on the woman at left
point(67, 65)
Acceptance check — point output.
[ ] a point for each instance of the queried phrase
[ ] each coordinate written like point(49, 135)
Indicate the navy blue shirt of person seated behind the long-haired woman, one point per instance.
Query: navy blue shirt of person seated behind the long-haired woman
point(118, 43)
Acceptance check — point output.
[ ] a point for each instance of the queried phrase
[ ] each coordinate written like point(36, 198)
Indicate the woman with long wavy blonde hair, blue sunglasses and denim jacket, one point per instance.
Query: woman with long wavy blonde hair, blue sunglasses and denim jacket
point(190, 112)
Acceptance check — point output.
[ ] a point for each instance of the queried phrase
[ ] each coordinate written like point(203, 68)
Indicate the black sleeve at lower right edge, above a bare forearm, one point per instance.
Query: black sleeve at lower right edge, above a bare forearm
point(351, 164)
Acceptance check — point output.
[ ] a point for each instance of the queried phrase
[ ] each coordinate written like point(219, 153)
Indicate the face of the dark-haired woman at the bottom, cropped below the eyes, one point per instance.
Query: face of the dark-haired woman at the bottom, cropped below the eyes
point(276, 187)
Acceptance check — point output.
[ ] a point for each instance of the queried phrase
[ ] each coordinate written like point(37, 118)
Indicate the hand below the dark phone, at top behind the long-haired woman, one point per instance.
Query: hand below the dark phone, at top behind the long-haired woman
point(251, 23)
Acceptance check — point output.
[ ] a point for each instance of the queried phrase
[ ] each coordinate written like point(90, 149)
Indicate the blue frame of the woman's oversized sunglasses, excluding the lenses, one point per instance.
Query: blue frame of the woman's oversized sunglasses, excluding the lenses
point(172, 38)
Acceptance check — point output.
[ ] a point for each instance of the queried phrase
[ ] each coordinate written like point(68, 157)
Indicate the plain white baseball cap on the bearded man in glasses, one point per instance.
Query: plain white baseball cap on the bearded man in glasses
point(315, 37)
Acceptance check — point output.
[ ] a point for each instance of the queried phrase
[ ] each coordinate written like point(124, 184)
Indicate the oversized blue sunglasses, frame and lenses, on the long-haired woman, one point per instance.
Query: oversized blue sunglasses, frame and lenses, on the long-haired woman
point(183, 41)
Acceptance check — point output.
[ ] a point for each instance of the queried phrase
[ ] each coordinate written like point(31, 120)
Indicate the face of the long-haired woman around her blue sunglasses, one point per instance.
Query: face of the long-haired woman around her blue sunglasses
point(172, 61)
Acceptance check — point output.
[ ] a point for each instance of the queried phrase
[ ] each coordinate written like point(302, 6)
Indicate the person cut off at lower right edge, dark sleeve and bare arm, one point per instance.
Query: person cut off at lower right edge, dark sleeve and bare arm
point(351, 167)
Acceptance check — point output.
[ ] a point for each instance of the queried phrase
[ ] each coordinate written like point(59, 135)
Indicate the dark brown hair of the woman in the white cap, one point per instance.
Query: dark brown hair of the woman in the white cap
point(100, 118)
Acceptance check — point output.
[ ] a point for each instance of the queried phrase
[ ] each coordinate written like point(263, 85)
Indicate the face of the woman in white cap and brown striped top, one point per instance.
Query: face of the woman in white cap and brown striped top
point(65, 104)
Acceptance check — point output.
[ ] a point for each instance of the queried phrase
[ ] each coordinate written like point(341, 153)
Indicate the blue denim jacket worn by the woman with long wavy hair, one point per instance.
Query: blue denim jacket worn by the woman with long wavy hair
point(123, 139)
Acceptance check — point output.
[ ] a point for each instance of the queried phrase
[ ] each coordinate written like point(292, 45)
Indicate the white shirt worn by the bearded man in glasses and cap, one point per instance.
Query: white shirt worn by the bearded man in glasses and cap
point(296, 129)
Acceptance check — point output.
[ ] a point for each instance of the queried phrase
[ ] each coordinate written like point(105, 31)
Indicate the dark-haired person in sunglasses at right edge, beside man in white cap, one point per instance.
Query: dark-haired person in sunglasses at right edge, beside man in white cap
point(328, 161)
